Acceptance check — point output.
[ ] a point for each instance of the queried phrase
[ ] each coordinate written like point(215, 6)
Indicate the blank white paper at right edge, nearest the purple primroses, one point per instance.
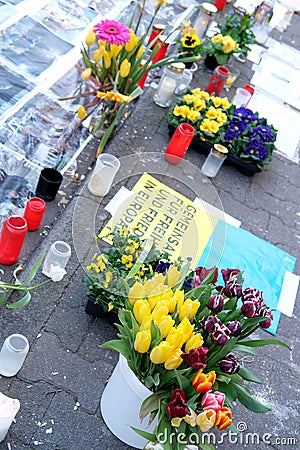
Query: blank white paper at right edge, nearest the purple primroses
point(283, 118)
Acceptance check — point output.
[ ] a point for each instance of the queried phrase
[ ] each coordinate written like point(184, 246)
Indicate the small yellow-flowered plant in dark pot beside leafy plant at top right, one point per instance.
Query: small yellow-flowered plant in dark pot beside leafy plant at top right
point(219, 49)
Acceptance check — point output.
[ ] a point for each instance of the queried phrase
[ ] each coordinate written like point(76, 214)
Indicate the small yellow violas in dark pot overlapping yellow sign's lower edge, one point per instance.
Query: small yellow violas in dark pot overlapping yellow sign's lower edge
point(117, 268)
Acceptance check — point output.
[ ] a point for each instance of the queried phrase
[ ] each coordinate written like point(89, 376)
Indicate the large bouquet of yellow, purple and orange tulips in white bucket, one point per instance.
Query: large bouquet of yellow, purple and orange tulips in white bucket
point(184, 343)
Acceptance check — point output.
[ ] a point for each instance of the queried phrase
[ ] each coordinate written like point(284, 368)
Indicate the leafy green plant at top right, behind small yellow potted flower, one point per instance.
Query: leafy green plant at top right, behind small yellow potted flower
point(238, 24)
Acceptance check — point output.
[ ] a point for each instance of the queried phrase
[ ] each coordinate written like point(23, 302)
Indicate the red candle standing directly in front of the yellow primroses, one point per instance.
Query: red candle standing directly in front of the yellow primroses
point(179, 143)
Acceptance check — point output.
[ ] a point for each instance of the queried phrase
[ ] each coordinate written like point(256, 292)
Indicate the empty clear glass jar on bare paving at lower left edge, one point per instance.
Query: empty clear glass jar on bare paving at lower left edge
point(13, 354)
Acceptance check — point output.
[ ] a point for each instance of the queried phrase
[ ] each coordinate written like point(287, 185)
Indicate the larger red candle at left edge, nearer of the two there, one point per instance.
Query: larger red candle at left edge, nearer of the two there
point(11, 239)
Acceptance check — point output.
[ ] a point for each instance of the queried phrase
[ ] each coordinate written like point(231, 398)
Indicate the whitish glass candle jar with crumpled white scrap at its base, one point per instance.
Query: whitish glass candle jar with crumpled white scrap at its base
point(57, 256)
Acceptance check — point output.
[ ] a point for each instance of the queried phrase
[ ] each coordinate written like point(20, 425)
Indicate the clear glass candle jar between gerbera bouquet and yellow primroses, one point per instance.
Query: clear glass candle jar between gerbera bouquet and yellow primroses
point(168, 83)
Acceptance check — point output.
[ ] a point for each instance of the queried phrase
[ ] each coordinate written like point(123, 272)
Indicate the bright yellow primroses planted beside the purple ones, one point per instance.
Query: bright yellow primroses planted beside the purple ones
point(207, 114)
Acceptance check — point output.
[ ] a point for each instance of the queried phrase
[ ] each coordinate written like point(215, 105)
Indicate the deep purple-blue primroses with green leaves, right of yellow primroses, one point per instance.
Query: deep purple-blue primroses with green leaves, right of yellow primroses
point(250, 137)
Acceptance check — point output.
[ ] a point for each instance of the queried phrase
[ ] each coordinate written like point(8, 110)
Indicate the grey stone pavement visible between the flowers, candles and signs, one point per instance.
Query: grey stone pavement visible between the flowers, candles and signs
point(63, 377)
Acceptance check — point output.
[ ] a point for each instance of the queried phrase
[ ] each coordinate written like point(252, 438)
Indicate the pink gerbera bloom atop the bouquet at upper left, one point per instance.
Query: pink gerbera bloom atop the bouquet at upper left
point(112, 32)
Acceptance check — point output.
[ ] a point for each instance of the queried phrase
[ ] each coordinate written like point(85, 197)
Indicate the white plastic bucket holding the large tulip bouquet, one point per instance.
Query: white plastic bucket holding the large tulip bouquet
point(120, 405)
